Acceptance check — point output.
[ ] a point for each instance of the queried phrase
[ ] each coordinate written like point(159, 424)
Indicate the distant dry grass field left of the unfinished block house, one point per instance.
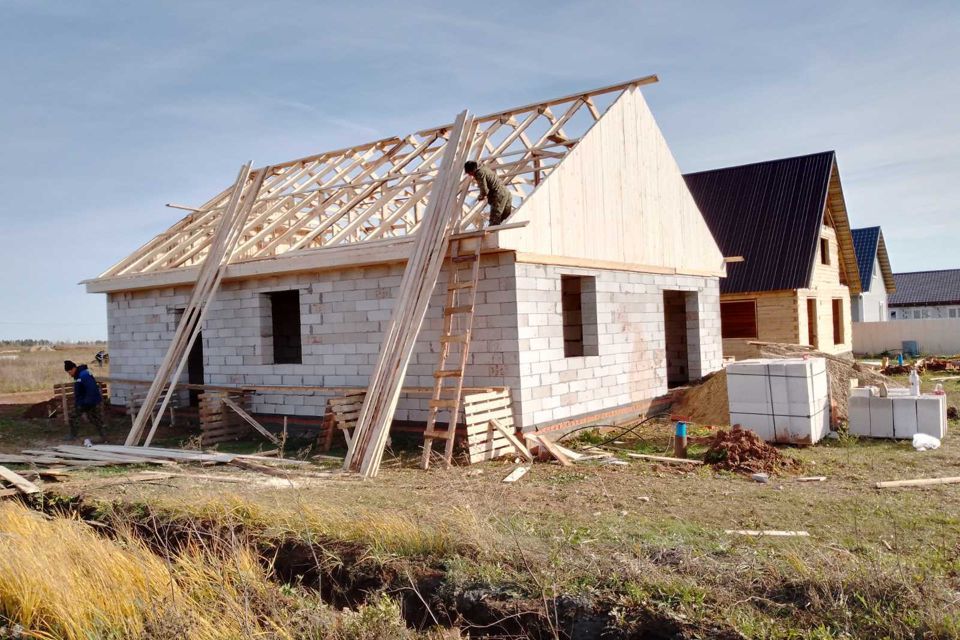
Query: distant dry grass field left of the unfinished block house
point(40, 370)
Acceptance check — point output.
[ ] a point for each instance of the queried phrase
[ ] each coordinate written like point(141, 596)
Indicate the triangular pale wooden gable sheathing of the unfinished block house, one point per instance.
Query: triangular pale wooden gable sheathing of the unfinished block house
point(618, 198)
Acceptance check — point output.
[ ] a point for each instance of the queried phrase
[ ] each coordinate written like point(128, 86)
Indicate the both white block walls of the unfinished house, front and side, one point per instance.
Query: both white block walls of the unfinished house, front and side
point(517, 337)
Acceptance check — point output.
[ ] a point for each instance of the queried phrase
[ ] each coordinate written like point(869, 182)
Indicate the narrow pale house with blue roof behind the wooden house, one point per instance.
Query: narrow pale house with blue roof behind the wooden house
point(876, 278)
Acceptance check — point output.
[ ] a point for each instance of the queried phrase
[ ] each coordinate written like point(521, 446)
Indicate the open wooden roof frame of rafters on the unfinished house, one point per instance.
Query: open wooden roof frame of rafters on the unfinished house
point(379, 190)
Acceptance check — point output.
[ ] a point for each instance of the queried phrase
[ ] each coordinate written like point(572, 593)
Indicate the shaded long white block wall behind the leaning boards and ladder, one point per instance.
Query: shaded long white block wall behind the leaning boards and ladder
point(343, 316)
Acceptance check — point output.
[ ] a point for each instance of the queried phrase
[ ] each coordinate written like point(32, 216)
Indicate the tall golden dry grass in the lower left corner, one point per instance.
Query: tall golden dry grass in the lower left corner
point(58, 579)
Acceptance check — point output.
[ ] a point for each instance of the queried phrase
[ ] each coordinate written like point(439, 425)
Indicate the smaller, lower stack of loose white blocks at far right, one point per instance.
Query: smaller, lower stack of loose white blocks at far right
point(899, 415)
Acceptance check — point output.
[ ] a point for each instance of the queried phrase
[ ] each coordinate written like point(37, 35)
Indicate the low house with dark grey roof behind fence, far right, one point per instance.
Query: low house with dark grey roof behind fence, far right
point(926, 294)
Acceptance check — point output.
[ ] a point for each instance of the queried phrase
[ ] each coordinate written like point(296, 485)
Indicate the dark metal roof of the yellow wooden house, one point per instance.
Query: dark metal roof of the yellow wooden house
point(770, 213)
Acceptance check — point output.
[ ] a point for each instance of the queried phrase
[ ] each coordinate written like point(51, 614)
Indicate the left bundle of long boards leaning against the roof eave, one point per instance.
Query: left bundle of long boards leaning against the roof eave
point(222, 247)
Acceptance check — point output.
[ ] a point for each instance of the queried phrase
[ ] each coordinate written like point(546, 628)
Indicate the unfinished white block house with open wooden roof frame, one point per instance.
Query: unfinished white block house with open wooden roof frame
point(609, 293)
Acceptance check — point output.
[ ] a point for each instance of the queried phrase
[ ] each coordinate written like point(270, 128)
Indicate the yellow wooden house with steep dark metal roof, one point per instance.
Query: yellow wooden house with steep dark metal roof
point(788, 220)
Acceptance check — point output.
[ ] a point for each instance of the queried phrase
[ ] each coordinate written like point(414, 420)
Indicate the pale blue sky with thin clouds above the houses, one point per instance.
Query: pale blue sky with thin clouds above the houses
point(110, 109)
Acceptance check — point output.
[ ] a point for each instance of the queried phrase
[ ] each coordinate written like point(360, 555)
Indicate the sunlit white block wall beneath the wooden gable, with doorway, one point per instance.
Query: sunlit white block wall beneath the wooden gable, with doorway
point(630, 364)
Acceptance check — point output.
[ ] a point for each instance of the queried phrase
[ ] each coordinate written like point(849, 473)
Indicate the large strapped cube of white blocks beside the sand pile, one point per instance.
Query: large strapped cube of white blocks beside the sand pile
point(781, 400)
